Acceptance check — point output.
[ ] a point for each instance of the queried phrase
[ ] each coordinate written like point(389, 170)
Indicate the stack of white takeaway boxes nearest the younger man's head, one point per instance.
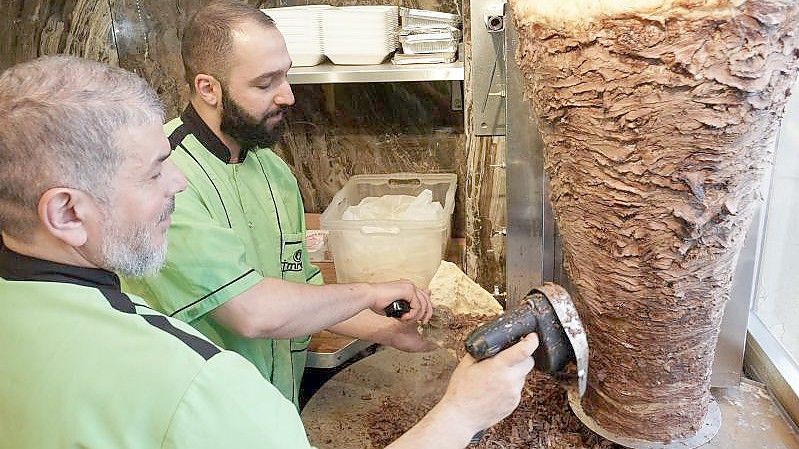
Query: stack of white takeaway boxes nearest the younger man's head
point(301, 27)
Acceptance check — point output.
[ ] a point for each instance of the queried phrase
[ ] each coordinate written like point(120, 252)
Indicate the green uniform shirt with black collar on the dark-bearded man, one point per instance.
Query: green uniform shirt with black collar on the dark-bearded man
point(234, 225)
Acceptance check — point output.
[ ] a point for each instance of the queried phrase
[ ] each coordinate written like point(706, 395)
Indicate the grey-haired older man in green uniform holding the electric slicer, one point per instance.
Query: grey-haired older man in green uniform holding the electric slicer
point(88, 190)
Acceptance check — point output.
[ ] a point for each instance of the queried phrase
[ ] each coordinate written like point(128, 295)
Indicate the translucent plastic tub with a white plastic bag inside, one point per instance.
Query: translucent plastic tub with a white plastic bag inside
point(386, 249)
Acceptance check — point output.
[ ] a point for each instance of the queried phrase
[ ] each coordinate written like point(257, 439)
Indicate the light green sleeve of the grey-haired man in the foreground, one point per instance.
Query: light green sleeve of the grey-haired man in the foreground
point(230, 405)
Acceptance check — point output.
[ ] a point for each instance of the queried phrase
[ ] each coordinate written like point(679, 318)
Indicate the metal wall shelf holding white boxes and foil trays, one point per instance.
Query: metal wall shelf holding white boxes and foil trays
point(382, 73)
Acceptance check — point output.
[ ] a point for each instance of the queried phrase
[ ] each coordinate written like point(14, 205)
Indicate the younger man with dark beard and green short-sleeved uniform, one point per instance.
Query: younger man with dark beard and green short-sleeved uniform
point(238, 230)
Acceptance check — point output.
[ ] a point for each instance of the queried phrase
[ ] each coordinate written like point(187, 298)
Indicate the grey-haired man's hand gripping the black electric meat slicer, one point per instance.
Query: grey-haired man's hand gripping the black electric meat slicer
point(480, 394)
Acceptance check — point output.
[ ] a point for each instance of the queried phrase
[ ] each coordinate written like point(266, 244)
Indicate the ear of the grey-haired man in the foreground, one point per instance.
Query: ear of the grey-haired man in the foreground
point(63, 213)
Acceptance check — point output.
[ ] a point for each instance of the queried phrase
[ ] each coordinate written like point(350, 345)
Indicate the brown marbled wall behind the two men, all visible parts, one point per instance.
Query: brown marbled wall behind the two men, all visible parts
point(336, 131)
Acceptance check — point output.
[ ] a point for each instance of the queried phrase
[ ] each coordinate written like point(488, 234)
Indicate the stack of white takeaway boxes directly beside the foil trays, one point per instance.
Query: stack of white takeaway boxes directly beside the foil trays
point(354, 35)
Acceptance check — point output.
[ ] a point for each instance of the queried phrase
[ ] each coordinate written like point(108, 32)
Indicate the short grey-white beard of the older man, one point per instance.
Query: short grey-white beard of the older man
point(131, 251)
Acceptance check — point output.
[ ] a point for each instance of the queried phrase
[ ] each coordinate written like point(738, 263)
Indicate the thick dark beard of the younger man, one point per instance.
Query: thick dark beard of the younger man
point(247, 130)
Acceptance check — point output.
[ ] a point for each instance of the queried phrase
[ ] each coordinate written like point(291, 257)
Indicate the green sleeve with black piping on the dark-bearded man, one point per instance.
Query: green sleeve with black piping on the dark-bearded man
point(205, 264)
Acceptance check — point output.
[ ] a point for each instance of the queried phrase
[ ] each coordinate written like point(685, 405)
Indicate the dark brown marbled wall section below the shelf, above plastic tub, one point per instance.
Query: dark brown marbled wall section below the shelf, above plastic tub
point(339, 130)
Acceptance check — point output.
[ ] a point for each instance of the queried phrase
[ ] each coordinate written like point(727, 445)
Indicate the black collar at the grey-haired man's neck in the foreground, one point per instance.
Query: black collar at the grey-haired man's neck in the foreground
point(18, 267)
